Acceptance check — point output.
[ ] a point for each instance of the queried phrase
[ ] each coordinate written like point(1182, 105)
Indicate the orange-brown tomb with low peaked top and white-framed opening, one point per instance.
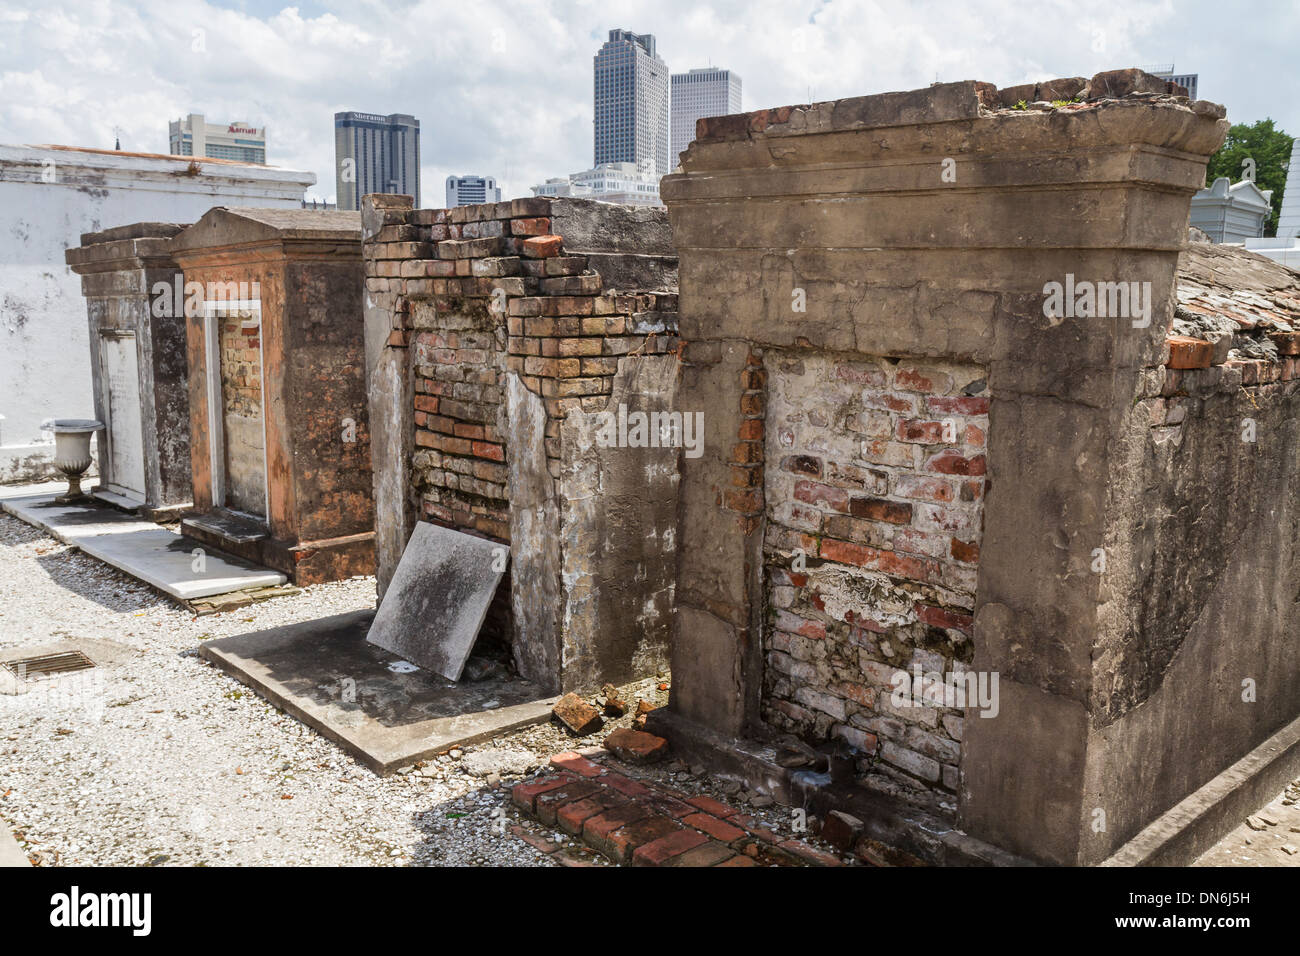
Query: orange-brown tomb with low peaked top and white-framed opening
point(279, 417)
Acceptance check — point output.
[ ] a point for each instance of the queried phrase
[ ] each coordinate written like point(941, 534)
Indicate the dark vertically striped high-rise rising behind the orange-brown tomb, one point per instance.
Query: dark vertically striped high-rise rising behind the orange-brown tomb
point(376, 154)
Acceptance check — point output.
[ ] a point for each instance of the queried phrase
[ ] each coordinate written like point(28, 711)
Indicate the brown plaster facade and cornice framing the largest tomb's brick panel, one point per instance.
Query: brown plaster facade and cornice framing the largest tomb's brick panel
point(866, 209)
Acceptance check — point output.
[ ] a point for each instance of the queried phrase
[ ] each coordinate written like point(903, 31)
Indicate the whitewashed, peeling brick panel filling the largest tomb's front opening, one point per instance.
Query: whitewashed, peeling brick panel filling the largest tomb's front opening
point(876, 473)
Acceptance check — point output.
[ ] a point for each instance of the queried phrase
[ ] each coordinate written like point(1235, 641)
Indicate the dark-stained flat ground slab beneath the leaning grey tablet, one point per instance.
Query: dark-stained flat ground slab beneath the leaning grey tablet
point(372, 703)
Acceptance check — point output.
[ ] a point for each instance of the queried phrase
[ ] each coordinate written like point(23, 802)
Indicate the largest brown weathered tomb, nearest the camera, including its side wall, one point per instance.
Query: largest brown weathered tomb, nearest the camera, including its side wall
point(948, 438)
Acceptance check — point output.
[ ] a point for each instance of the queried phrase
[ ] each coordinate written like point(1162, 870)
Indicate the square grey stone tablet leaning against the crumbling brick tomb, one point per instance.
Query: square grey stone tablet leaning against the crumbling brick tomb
point(437, 600)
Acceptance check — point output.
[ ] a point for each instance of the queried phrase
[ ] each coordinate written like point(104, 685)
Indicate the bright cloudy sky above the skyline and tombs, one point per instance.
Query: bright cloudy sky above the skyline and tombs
point(505, 86)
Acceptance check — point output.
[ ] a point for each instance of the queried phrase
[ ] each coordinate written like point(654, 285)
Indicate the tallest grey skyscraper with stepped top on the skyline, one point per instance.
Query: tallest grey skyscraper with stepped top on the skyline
point(632, 103)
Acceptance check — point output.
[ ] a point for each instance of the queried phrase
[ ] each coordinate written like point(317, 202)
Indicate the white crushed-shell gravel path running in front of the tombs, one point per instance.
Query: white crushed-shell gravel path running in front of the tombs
point(155, 758)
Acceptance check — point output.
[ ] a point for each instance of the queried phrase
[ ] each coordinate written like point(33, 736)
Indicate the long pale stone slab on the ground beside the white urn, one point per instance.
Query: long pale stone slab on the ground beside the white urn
point(141, 548)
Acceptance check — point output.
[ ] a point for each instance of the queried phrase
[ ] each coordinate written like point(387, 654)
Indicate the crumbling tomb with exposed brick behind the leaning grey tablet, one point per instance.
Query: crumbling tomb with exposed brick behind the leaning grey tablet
point(510, 336)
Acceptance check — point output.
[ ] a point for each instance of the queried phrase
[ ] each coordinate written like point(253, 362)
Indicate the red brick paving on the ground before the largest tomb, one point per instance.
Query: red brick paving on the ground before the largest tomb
point(651, 825)
